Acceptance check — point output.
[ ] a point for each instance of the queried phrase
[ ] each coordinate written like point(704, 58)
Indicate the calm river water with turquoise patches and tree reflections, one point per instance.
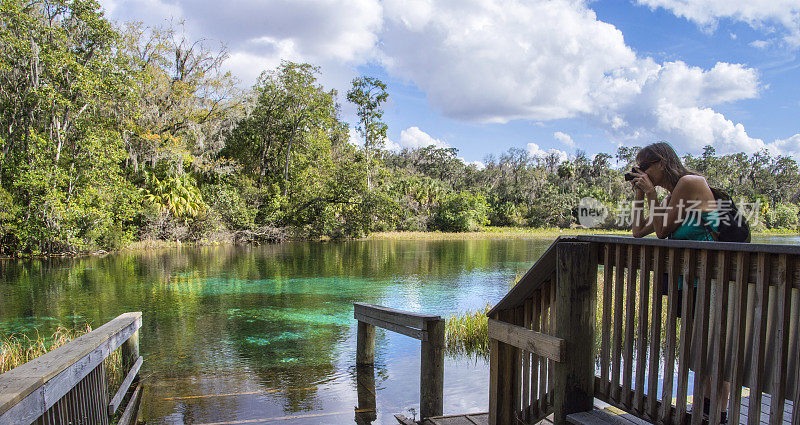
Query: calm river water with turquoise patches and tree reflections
point(250, 333)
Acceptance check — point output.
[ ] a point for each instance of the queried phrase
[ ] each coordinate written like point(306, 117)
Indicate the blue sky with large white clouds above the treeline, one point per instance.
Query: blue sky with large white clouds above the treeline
point(484, 76)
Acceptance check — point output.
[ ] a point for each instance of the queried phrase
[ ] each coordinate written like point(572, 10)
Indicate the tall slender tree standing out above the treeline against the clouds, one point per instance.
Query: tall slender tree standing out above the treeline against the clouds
point(368, 94)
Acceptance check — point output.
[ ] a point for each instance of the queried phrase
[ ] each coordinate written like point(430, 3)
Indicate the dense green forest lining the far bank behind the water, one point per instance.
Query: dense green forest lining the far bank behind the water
point(112, 134)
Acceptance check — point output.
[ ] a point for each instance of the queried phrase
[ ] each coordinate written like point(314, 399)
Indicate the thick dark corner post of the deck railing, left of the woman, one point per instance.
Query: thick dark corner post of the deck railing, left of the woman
point(576, 299)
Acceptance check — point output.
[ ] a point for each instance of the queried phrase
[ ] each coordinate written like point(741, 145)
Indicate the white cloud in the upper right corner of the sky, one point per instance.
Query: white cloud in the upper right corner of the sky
point(760, 14)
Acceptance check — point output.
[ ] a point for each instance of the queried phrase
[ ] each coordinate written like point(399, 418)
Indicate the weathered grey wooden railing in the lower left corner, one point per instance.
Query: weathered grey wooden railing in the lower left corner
point(68, 384)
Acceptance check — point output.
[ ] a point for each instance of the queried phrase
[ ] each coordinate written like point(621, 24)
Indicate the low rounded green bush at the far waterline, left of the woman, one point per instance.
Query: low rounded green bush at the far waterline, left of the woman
point(461, 212)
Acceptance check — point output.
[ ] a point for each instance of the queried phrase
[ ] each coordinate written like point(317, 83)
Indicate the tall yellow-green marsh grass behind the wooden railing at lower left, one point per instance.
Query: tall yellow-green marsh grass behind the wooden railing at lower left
point(16, 350)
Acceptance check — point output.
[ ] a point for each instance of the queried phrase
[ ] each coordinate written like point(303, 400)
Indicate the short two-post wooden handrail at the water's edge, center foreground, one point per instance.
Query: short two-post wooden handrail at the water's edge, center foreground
point(424, 327)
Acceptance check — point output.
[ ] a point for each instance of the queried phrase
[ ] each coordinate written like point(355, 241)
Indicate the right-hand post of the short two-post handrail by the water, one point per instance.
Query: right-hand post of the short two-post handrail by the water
point(431, 394)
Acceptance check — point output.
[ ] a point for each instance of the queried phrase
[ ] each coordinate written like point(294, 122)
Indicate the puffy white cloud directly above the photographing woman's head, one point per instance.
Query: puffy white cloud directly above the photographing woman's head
point(673, 102)
